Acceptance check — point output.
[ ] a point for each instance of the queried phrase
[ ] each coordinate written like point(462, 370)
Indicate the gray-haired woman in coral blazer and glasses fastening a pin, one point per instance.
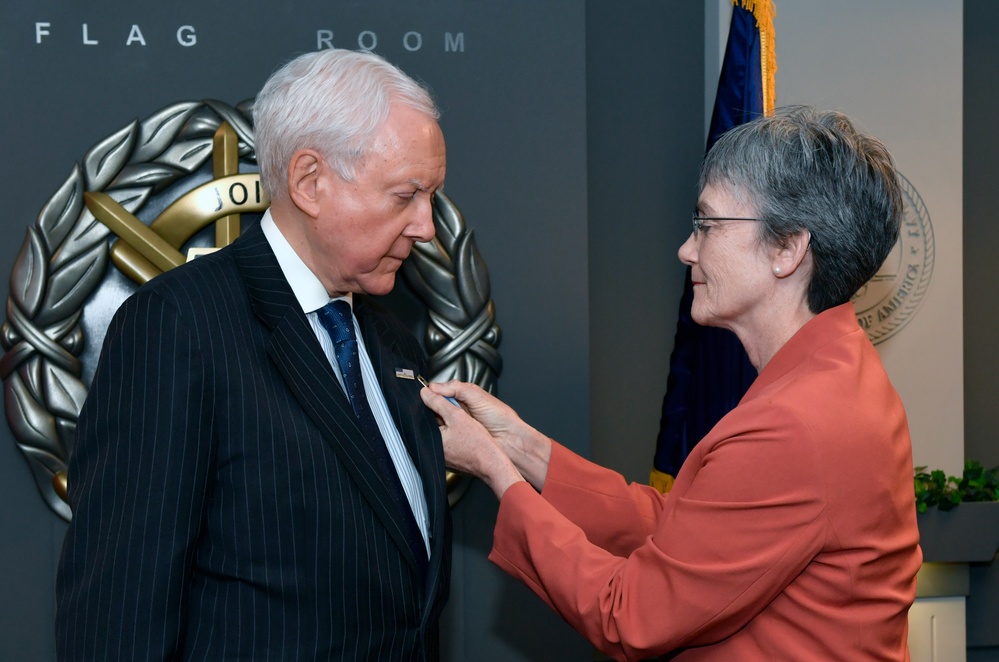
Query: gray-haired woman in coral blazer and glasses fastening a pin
point(790, 533)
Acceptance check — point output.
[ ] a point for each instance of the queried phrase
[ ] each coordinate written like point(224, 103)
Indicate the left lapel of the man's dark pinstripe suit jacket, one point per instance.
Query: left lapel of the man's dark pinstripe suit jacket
point(306, 370)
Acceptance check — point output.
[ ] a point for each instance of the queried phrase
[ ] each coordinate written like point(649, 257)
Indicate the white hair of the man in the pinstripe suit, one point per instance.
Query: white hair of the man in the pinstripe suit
point(333, 101)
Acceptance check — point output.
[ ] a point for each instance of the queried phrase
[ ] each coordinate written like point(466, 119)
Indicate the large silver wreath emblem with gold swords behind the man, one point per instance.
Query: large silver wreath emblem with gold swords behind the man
point(150, 196)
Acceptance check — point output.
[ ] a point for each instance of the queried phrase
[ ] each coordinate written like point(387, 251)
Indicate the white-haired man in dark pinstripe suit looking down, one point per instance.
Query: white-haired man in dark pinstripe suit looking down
point(252, 480)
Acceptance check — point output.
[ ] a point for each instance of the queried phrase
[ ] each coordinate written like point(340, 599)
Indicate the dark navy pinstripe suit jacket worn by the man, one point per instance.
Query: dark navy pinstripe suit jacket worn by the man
point(224, 504)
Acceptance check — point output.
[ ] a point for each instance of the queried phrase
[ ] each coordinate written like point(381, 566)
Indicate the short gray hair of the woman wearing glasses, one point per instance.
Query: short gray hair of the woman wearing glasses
point(805, 170)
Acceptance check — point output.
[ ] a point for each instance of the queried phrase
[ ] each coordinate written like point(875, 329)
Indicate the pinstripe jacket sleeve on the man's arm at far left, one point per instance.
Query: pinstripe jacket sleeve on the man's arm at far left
point(137, 480)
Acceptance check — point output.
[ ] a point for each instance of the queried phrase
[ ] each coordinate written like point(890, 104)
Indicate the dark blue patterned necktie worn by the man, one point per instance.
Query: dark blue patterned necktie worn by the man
point(336, 318)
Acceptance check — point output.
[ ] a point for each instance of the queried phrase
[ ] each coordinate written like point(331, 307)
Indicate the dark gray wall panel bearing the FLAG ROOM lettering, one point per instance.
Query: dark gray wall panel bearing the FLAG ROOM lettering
point(510, 80)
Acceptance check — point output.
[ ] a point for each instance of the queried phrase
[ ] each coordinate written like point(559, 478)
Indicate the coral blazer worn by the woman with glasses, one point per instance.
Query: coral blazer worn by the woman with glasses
point(790, 533)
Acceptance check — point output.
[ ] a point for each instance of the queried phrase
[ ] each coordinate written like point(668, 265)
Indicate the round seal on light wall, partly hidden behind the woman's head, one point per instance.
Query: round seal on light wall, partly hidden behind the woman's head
point(890, 299)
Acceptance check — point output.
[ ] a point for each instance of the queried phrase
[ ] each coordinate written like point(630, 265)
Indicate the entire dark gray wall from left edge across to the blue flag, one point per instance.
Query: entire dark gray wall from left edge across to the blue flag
point(580, 241)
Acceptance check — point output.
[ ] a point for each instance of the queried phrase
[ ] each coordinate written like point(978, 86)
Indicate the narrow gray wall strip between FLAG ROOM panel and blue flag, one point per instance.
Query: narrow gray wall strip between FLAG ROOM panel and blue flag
point(645, 117)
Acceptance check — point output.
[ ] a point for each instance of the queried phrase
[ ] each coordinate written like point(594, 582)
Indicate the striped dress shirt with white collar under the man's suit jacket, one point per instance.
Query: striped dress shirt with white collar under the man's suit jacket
point(312, 296)
